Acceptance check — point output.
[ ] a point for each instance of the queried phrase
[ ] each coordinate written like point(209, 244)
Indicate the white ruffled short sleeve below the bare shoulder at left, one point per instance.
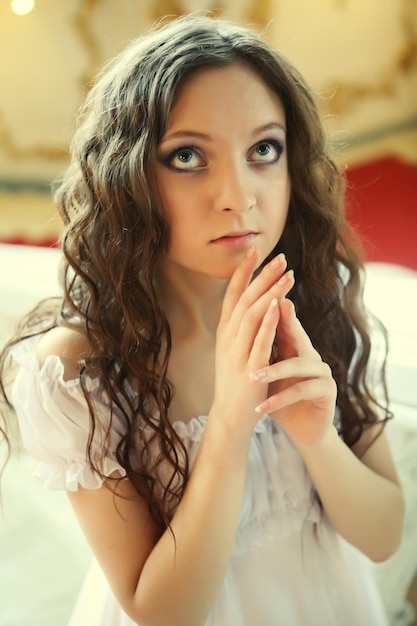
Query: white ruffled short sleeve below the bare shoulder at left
point(54, 422)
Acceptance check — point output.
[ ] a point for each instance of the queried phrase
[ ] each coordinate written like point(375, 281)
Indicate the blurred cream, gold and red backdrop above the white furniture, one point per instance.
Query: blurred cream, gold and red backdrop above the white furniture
point(359, 57)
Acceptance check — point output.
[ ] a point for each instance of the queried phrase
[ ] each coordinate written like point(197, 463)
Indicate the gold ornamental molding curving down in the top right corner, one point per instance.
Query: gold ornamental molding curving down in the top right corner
point(346, 94)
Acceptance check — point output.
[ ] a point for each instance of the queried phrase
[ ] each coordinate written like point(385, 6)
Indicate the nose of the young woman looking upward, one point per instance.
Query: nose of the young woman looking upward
point(232, 189)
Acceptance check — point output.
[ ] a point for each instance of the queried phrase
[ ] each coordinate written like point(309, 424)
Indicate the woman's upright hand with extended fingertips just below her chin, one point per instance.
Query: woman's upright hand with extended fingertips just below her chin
point(245, 337)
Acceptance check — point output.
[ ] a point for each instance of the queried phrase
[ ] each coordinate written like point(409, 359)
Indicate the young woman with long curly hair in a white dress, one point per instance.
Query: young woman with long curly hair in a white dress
point(208, 409)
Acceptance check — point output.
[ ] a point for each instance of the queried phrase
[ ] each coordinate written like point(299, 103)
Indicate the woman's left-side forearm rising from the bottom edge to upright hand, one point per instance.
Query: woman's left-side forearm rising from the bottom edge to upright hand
point(187, 566)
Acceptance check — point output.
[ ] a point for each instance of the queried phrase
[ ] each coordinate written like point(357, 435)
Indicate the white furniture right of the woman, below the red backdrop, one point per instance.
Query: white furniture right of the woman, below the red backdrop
point(391, 293)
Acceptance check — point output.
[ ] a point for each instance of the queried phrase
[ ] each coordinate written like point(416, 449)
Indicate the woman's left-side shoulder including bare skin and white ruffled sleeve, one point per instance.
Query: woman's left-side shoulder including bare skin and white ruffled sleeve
point(54, 414)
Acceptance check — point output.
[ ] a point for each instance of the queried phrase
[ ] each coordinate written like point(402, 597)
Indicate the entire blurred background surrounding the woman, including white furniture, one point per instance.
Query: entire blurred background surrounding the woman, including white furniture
point(360, 57)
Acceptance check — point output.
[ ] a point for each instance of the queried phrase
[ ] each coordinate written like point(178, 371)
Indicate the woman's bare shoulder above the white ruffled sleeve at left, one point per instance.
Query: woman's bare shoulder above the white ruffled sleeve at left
point(67, 343)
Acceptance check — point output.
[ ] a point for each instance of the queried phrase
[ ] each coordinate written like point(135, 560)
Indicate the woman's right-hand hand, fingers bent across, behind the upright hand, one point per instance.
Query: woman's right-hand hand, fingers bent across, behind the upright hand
point(301, 389)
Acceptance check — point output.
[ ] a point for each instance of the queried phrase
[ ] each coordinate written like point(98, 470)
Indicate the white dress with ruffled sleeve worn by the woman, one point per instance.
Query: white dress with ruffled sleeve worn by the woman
point(289, 567)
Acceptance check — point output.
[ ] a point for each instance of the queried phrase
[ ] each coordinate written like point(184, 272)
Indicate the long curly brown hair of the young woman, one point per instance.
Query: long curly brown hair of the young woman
point(115, 236)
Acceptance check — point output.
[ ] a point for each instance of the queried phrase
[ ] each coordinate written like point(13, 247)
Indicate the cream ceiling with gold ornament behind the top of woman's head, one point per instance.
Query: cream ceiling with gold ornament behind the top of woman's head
point(359, 55)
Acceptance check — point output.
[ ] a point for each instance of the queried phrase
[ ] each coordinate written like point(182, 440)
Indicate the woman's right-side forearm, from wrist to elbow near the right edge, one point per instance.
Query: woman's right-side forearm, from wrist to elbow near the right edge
point(365, 507)
